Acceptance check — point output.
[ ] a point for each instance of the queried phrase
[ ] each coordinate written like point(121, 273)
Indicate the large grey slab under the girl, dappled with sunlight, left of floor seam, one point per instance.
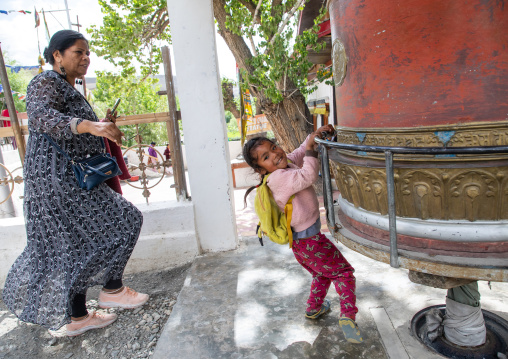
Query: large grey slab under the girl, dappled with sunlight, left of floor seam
point(250, 303)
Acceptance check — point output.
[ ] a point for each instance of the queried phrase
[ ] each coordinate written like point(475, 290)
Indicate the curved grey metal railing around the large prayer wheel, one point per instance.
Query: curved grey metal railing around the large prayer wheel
point(390, 179)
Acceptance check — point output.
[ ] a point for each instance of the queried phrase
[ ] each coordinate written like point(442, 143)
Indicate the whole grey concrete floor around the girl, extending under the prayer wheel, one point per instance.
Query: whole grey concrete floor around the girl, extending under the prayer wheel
point(250, 303)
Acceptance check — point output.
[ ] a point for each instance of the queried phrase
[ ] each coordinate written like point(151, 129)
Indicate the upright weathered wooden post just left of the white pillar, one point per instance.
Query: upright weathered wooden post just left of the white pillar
point(174, 130)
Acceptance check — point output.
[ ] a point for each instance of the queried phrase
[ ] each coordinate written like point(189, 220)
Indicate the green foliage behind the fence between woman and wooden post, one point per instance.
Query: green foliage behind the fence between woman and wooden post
point(138, 97)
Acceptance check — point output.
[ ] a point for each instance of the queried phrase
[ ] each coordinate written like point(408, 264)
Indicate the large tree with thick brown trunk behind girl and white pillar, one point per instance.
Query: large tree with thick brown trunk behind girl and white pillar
point(260, 34)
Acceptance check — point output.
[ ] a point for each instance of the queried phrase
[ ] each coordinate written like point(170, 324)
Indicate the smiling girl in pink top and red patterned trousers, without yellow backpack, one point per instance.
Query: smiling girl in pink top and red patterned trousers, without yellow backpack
point(311, 248)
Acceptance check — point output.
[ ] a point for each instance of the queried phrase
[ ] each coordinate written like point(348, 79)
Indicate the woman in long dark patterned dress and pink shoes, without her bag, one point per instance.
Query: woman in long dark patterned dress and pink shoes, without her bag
point(75, 238)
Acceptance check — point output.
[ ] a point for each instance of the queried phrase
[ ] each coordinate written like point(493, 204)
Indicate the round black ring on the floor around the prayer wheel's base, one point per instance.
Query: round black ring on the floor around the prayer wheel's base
point(497, 337)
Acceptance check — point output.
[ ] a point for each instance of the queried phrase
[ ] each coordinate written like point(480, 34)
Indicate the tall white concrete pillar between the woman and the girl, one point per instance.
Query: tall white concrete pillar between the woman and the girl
point(193, 36)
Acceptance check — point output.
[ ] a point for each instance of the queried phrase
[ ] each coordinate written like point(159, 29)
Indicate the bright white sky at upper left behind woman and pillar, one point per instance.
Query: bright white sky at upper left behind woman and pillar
point(18, 35)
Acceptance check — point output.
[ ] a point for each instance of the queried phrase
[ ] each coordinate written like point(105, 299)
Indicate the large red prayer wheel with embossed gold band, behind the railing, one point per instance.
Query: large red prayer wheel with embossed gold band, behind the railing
point(424, 73)
